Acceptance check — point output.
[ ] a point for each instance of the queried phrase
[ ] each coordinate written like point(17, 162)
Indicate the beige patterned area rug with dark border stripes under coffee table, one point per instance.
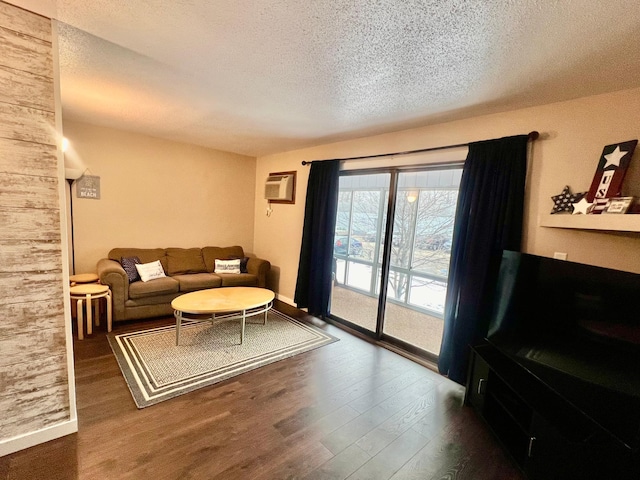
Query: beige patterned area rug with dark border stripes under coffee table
point(155, 369)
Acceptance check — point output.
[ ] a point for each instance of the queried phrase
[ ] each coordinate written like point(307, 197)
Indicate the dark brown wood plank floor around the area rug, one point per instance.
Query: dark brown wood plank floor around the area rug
point(346, 410)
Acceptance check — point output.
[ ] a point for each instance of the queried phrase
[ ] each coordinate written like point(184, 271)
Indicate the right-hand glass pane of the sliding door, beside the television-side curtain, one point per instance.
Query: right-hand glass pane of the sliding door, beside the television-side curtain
point(423, 228)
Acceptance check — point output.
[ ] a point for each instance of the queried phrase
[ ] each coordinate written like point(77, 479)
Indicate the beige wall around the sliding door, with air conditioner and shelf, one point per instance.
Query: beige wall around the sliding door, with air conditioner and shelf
point(573, 135)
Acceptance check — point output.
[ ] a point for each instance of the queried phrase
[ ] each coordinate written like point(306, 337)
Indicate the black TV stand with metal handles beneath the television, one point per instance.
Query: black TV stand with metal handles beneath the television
point(545, 435)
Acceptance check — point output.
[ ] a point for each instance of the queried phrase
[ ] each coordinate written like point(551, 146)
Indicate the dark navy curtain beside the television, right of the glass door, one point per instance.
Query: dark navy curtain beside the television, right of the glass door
point(488, 219)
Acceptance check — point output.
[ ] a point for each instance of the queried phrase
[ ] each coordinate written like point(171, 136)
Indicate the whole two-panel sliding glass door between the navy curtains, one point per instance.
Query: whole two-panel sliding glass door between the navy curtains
point(412, 264)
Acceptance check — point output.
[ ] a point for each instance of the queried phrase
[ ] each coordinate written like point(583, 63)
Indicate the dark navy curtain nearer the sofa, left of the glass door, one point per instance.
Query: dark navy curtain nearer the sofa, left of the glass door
point(313, 287)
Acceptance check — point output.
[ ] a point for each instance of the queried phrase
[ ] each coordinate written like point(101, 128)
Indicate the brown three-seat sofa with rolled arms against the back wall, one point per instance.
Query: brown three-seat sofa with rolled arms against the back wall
point(187, 270)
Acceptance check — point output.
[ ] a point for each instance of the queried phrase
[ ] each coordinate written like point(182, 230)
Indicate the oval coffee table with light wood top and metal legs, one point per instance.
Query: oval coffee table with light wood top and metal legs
point(224, 303)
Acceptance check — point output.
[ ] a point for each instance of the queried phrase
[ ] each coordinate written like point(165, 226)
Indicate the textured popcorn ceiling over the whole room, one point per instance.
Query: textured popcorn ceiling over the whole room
point(263, 76)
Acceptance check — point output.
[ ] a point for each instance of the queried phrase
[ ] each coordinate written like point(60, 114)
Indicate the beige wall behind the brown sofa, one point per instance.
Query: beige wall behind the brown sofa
point(157, 193)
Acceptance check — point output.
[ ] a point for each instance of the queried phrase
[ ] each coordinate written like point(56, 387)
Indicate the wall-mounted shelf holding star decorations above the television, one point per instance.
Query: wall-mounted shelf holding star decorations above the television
point(604, 222)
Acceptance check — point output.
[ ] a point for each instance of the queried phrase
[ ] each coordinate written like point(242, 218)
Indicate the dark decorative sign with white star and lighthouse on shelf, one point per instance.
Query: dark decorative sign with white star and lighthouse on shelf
point(612, 167)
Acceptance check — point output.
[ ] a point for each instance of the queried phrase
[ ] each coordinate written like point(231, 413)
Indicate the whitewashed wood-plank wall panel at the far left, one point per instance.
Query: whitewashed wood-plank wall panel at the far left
point(34, 365)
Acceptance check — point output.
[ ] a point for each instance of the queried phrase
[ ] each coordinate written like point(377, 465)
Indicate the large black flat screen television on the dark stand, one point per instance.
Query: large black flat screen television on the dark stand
point(576, 328)
